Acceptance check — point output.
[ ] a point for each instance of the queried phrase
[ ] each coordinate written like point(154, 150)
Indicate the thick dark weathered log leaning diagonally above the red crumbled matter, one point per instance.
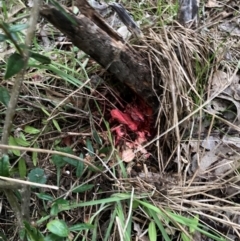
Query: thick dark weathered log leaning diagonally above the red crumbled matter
point(90, 33)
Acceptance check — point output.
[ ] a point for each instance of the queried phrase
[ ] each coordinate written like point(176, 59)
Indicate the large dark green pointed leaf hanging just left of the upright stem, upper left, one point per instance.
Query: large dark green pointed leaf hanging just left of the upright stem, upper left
point(15, 64)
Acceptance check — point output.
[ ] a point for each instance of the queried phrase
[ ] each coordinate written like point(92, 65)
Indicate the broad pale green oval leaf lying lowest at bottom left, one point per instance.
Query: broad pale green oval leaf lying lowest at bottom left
point(58, 227)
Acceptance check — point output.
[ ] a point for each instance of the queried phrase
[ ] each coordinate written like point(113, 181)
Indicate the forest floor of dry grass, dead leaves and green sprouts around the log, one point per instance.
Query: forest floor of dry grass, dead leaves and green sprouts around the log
point(124, 173)
